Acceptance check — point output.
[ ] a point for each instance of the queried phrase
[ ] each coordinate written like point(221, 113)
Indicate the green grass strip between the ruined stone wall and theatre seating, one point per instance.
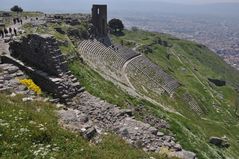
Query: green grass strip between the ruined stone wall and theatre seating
point(98, 86)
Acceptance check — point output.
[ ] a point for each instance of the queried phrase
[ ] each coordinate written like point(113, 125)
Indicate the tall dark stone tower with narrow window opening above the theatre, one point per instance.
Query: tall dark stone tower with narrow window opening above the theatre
point(99, 19)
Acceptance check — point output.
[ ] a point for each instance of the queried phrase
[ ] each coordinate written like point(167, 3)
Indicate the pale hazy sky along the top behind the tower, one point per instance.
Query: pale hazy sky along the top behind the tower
point(85, 5)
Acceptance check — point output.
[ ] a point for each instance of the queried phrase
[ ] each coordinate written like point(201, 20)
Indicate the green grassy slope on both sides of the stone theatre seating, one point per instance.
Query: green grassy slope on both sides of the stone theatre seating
point(191, 64)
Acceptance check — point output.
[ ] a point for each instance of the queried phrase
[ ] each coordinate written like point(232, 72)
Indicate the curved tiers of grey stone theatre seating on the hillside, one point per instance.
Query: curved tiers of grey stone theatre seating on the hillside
point(116, 60)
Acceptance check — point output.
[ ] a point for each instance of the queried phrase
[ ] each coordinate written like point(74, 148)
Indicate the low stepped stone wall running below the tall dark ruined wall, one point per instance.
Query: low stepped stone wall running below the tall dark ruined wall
point(62, 89)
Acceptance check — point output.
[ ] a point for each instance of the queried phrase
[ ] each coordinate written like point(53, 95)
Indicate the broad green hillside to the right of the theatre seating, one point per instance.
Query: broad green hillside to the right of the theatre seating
point(192, 64)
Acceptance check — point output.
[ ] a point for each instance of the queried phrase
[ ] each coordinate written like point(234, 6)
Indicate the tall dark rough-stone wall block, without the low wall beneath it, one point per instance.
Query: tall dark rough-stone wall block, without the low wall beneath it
point(41, 52)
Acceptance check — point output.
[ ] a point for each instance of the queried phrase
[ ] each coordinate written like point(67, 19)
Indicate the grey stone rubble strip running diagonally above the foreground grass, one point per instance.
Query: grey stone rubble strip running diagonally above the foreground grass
point(92, 117)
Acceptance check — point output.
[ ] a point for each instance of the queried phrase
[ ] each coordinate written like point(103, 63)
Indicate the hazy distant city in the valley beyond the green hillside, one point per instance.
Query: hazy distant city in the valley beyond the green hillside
point(220, 34)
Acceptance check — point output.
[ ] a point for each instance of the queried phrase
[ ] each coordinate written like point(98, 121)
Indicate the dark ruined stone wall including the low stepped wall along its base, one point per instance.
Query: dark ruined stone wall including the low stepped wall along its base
point(41, 59)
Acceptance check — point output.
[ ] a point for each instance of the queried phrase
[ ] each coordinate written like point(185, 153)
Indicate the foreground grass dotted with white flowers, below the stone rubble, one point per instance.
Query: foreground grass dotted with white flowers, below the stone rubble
point(31, 130)
